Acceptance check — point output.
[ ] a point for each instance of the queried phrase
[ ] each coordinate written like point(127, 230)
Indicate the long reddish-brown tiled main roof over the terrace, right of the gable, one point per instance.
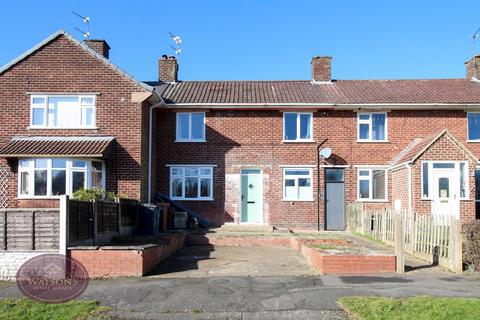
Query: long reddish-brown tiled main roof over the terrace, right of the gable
point(435, 91)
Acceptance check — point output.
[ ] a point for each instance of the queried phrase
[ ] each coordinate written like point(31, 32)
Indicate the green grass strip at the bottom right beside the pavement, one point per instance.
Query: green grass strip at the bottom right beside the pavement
point(424, 308)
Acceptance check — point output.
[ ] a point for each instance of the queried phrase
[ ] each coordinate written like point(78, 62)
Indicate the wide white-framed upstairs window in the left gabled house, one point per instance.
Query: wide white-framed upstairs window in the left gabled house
point(62, 112)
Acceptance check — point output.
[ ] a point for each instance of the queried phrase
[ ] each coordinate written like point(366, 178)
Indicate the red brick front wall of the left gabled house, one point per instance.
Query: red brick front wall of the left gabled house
point(63, 67)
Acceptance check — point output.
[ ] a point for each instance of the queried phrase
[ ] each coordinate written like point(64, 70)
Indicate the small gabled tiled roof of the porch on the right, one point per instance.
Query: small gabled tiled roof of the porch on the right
point(420, 145)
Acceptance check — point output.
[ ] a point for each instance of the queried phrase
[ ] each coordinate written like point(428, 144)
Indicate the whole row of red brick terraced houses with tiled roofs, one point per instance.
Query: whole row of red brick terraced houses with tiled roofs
point(291, 154)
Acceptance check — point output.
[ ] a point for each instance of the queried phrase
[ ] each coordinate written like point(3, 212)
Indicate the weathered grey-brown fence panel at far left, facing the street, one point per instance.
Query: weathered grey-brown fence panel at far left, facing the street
point(29, 229)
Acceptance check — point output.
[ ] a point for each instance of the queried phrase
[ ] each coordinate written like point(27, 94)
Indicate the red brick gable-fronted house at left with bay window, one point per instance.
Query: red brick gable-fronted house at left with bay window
point(70, 119)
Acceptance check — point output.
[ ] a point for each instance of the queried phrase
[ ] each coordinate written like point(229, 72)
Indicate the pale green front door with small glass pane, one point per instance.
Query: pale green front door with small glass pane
point(252, 195)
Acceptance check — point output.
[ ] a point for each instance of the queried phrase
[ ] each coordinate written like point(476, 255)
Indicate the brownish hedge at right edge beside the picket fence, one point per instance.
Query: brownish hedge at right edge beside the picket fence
point(471, 245)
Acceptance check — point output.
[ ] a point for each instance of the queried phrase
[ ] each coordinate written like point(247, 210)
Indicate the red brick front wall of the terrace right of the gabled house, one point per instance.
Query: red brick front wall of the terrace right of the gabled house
point(237, 139)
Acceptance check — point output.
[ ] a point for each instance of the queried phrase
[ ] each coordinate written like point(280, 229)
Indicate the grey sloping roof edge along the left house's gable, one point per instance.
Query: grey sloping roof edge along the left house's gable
point(84, 47)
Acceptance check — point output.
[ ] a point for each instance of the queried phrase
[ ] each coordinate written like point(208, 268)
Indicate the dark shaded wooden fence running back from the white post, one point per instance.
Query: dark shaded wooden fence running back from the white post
point(98, 222)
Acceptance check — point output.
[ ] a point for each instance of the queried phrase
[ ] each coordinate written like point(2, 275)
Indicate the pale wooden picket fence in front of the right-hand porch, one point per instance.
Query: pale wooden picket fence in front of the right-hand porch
point(436, 239)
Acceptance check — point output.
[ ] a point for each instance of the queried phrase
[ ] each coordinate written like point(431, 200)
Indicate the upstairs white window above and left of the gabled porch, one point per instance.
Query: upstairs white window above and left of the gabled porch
point(372, 127)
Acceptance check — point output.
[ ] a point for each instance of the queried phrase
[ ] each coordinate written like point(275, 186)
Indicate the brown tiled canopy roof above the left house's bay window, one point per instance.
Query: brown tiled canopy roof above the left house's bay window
point(57, 147)
